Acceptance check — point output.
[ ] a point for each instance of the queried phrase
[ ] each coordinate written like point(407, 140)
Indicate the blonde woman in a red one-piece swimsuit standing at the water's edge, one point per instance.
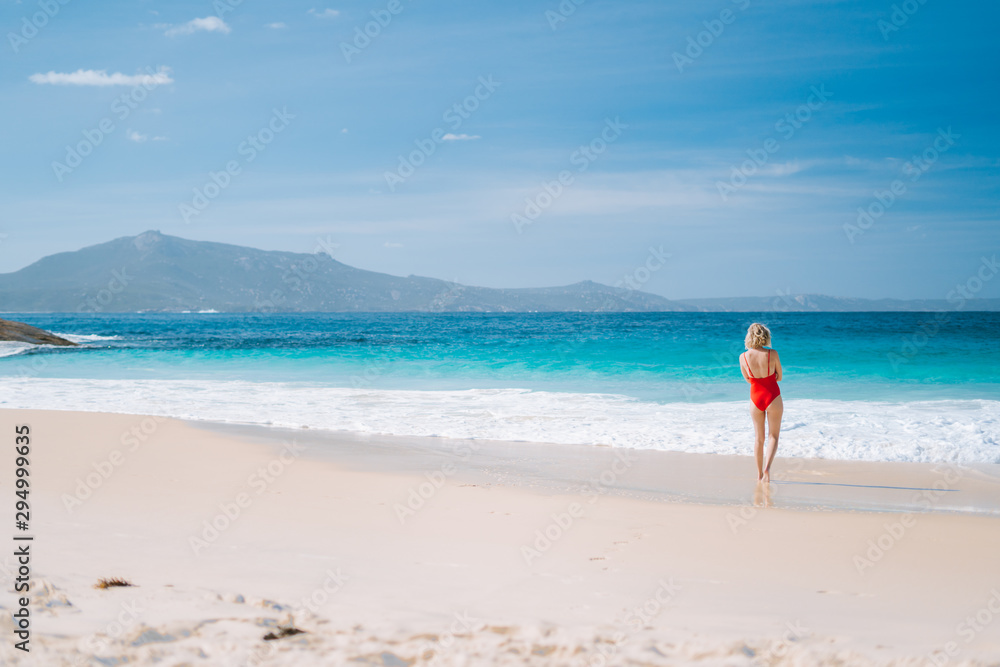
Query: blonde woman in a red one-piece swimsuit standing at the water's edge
point(761, 367)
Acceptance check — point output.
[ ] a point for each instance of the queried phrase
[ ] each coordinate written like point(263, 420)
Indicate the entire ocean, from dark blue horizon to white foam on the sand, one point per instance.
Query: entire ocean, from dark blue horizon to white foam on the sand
point(862, 386)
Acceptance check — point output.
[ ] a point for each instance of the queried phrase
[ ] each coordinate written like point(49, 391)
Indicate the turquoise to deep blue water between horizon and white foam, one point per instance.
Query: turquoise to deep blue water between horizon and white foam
point(660, 357)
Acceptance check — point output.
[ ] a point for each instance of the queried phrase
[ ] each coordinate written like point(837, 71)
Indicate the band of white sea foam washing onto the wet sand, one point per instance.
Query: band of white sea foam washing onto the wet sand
point(958, 431)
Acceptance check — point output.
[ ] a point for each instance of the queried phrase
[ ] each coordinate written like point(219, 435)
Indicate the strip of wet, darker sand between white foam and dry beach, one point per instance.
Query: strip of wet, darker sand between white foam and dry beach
point(663, 476)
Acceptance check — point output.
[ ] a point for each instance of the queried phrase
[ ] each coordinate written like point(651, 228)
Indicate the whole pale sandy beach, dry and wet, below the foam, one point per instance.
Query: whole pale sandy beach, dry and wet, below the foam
point(399, 551)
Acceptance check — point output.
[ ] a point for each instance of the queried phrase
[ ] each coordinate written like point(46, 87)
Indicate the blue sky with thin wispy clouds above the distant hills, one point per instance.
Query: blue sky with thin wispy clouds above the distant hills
point(663, 131)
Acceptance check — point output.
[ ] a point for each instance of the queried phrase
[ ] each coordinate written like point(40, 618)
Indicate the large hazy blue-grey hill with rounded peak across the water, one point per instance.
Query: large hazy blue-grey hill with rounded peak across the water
point(156, 272)
